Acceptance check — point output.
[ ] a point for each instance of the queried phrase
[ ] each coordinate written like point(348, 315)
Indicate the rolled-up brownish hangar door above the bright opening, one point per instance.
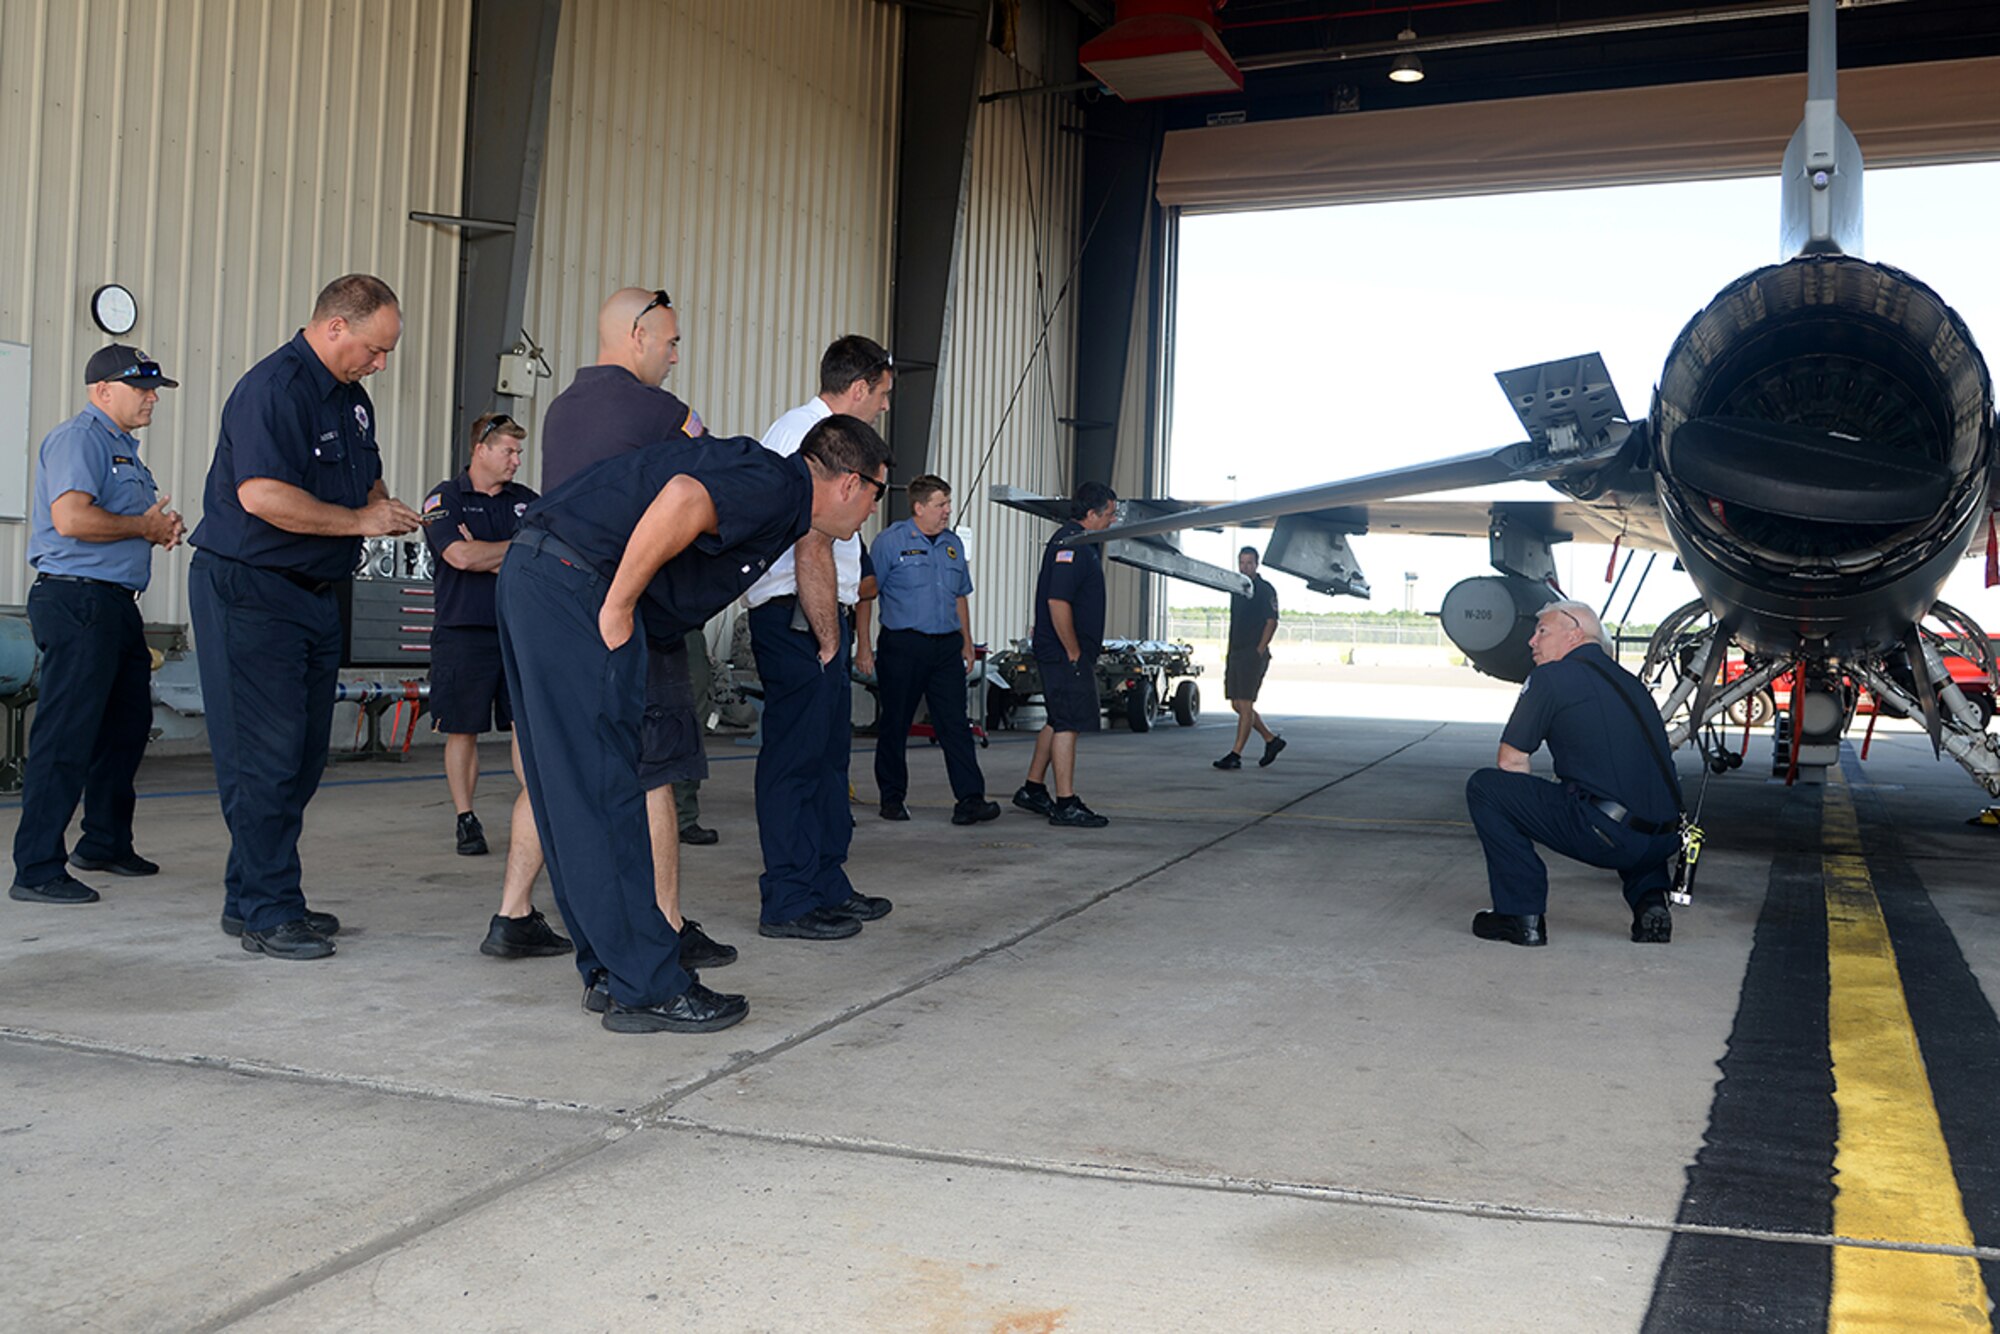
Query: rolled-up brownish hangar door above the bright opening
point(1901, 115)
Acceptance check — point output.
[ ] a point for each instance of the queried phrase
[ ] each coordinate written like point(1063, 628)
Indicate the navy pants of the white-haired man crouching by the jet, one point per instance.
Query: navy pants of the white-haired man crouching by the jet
point(1517, 811)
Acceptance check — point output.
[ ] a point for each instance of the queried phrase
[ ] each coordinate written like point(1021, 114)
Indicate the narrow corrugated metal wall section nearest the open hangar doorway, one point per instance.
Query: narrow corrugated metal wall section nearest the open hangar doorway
point(1013, 345)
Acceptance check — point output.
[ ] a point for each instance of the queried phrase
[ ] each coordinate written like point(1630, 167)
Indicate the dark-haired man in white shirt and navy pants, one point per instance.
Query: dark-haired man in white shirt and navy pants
point(801, 637)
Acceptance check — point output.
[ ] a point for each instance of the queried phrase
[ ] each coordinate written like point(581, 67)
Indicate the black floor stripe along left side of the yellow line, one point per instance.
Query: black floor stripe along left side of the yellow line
point(1767, 1159)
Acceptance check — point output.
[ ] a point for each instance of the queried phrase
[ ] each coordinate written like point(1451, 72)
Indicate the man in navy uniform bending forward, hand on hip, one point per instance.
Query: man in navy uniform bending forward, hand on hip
point(645, 545)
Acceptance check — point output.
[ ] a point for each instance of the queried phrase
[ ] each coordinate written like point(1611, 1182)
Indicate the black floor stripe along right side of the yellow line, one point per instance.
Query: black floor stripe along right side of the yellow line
point(1953, 1017)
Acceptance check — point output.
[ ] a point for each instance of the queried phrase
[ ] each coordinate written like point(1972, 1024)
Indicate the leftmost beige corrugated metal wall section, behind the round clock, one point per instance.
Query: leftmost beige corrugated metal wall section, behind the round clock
point(225, 159)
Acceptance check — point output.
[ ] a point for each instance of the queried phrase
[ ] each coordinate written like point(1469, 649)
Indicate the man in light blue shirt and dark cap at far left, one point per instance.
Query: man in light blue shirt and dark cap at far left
point(97, 519)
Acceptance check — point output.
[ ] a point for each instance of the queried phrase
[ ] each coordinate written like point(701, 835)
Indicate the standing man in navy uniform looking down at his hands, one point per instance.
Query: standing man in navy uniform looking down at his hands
point(295, 487)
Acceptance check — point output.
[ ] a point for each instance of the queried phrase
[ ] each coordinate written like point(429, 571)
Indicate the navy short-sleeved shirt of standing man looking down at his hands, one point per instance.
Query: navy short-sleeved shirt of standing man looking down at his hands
point(291, 421)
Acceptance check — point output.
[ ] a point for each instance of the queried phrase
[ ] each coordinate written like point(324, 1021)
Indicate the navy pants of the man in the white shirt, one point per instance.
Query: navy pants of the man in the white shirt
point(803, 769)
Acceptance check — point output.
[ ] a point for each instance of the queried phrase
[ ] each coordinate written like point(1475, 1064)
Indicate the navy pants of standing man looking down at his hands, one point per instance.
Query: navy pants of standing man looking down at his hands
point(269, 653)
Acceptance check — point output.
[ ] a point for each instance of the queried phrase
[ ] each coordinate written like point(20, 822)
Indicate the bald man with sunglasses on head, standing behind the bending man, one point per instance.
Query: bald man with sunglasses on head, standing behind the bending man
point(613, 409)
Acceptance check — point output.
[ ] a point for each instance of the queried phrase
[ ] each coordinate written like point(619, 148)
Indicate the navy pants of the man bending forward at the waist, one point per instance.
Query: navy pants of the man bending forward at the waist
point(577, 715)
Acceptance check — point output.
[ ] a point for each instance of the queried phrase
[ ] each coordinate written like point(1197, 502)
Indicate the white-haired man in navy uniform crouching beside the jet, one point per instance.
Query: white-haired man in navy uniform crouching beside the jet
point(1617, 799)
